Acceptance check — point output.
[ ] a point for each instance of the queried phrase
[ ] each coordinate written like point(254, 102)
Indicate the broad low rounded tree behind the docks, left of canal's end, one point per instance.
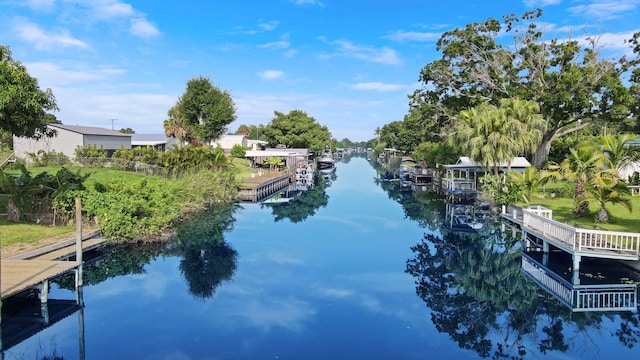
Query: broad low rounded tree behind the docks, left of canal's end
point(297, 130)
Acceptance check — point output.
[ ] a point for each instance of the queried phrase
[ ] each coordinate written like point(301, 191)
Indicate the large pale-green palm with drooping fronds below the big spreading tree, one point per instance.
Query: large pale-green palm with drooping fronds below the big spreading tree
point(492, 135)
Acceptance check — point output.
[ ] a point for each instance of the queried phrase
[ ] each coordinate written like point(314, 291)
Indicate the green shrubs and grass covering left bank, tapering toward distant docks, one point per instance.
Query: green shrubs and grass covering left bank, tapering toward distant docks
point(140, 207)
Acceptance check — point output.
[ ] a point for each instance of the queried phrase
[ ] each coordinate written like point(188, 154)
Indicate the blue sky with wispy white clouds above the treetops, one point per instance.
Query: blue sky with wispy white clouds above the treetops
point(350, 64)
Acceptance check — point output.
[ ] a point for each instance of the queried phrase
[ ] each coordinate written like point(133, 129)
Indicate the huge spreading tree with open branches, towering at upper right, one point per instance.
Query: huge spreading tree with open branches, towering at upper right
point(574, 87)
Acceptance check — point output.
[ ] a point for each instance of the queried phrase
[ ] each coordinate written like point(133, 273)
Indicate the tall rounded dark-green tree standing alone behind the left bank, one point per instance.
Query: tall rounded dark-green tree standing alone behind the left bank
point(202, 112)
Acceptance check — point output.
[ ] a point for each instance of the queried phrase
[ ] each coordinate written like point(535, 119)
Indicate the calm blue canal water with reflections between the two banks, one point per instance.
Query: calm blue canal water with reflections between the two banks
point(356, 268)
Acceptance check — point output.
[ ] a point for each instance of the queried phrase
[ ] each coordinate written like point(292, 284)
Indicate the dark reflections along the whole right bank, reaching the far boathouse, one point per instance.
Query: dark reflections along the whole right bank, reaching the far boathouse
point(472, 280)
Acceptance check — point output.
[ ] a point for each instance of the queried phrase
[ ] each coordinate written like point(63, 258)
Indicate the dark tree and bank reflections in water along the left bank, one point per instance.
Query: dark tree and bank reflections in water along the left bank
point(206, 261)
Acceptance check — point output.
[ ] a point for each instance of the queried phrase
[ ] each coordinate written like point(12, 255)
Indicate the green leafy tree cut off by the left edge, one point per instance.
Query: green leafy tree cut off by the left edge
point(23, 105)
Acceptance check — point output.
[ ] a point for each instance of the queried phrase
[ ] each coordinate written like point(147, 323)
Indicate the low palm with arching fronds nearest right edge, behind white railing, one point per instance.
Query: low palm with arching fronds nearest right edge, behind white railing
point(606, 187)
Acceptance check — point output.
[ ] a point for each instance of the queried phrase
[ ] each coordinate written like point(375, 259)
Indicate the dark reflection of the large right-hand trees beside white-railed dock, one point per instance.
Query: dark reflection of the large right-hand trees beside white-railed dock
point(478, 295)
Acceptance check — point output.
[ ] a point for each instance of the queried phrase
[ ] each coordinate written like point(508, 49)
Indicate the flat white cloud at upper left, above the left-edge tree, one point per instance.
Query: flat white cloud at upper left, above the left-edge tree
point(42, 40)
